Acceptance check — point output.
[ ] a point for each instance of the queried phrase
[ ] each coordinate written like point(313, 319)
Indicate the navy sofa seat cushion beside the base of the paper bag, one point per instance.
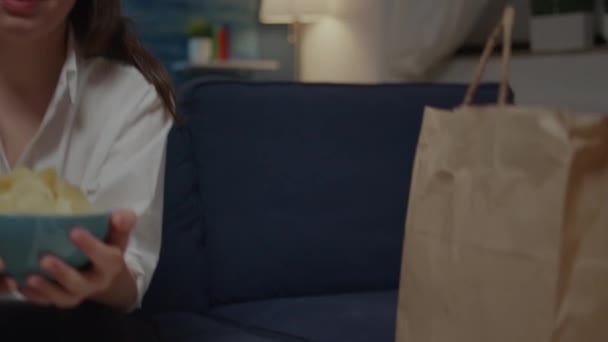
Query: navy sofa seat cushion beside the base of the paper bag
point(360, 317)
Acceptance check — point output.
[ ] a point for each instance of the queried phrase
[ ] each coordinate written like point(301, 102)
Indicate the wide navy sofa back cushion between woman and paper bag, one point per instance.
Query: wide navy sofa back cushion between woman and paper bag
point(304, 186)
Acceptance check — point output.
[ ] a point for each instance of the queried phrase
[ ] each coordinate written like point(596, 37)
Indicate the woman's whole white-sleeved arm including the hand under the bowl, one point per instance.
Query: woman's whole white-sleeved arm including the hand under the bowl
point(130, 182)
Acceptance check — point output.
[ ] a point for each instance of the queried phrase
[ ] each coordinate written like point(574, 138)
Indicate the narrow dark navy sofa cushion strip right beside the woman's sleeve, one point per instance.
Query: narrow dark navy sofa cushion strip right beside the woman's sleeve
point(180, 281)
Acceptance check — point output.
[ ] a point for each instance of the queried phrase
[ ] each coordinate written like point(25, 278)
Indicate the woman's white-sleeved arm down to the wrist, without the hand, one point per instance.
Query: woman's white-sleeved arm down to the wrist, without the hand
point(132, 177)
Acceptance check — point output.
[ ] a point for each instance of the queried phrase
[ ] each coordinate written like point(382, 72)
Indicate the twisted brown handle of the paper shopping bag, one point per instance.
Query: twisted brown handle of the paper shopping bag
point(506, 27)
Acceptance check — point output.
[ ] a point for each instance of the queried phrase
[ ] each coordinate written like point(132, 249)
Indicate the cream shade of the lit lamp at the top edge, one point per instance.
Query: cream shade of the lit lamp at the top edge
point(290, 11)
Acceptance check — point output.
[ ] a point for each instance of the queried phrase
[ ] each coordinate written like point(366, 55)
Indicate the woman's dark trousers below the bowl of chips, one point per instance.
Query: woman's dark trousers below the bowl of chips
point(89, 322)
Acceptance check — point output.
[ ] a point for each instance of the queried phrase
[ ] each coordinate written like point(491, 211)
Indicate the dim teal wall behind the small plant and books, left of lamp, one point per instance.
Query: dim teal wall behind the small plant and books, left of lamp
point(161, 24)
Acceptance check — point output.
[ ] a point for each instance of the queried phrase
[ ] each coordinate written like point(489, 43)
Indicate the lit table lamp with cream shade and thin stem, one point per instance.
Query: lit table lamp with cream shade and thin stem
point(293, 13)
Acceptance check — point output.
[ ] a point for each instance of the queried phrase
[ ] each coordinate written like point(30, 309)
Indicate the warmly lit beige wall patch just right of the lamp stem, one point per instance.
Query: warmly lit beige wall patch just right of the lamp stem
point(348, 45)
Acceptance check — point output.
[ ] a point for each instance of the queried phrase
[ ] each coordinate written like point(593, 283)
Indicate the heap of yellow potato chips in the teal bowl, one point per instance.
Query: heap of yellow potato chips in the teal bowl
point(44, 192)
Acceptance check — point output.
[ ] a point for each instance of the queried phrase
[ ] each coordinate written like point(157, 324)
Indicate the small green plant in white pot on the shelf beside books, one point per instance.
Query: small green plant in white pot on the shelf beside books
point(200, 41)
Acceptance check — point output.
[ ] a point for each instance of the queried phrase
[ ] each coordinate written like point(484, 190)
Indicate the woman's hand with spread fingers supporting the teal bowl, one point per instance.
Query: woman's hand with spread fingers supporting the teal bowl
point(74, 287)
